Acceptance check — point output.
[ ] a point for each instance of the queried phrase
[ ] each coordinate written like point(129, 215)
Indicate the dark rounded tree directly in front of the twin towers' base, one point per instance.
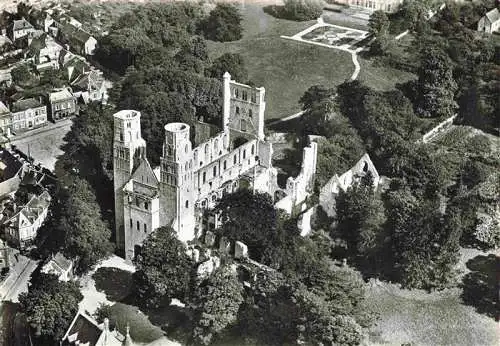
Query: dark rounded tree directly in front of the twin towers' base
point(163, 268)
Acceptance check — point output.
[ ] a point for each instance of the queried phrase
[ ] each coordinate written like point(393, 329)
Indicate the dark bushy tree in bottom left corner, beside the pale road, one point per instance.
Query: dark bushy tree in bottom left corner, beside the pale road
point(50, 305)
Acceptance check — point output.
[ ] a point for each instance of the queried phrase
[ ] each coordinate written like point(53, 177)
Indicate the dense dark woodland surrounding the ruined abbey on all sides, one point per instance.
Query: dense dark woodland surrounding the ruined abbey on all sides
point(409, 232)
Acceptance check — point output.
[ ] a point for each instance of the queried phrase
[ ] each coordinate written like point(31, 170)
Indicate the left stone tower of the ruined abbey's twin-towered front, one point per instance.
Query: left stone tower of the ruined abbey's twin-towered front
point(128, 149)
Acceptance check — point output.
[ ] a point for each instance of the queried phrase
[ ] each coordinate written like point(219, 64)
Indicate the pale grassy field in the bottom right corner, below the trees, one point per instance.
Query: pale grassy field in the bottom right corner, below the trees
point(438, 318)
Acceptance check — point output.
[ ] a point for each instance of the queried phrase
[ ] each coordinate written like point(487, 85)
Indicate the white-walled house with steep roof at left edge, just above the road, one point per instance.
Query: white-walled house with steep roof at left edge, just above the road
point(21, 228)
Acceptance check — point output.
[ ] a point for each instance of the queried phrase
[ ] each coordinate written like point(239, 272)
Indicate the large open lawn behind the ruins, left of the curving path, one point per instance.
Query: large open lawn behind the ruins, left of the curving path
point(285, 68)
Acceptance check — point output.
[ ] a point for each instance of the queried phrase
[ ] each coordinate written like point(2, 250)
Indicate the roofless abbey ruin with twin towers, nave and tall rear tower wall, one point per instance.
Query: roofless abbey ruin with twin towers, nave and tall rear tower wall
point(189, 179)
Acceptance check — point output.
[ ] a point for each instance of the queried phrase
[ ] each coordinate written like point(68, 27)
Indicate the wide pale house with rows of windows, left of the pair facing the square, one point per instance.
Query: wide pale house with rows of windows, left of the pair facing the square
point(28, 114)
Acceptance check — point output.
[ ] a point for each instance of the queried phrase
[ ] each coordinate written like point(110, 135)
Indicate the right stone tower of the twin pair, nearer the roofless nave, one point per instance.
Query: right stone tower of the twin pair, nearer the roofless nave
point(176, 181)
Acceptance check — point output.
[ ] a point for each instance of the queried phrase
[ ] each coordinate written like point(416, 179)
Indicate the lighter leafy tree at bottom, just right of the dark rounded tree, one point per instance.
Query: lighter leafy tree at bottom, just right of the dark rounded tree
point(216, 303)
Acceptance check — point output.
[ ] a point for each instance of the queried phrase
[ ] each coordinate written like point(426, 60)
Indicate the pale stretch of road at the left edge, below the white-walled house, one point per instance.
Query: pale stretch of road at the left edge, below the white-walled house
point(17, 281)
